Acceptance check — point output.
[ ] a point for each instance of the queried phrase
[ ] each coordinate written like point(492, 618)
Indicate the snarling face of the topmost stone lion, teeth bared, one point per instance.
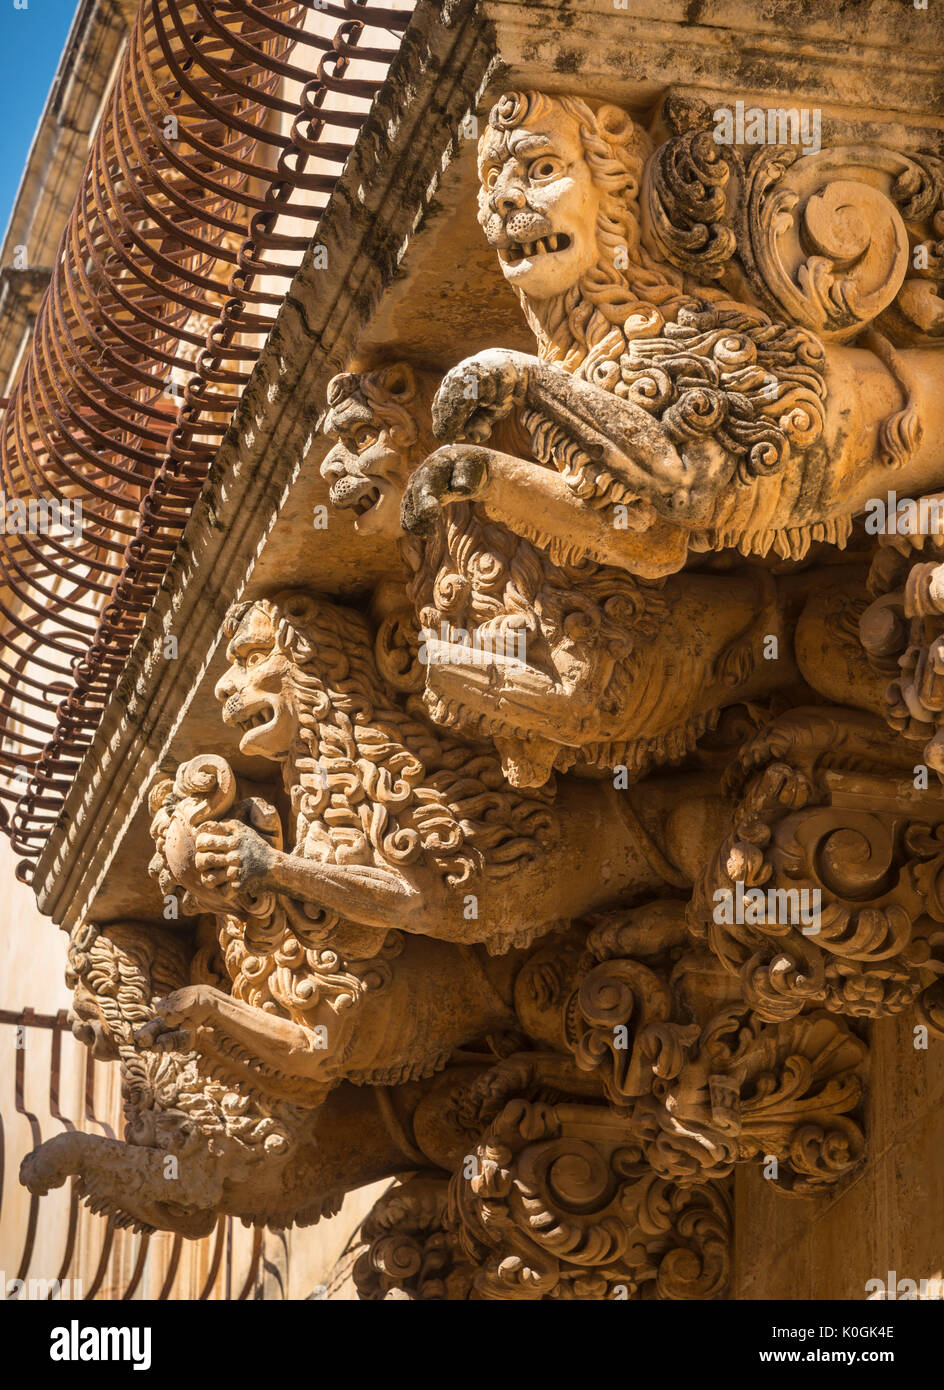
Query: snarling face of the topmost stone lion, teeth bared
point(539, 204)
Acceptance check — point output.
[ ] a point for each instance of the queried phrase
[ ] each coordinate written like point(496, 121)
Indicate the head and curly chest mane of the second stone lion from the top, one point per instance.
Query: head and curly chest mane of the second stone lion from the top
point(579, 622)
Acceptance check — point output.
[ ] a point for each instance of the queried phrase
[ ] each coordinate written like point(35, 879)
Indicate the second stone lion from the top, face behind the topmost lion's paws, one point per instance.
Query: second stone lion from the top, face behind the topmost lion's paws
point(562, 665)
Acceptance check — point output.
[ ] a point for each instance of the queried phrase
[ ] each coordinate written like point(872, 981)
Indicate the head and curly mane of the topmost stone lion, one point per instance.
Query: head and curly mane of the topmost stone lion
point(560, 202)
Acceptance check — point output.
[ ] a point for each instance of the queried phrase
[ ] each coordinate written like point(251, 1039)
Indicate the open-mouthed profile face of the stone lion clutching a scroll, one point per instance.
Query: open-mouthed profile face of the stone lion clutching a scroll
point(258, 693)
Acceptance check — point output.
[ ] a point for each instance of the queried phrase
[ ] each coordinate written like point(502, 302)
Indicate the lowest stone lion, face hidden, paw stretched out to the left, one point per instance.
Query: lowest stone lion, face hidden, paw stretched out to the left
point(202, 1135)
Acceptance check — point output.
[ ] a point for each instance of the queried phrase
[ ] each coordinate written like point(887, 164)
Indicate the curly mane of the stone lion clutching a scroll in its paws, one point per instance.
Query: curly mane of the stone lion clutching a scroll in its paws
point(369, 785)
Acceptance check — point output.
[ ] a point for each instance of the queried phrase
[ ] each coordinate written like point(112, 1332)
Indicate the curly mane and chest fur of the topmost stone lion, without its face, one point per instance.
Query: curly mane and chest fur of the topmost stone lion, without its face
point(703, 363)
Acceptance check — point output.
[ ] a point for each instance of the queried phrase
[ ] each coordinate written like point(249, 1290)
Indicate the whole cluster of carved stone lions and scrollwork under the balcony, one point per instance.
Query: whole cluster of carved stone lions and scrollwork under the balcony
point(594, 837)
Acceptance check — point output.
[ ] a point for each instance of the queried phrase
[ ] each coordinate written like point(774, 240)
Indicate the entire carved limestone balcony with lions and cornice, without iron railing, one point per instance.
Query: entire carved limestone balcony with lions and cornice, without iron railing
point(547, 810)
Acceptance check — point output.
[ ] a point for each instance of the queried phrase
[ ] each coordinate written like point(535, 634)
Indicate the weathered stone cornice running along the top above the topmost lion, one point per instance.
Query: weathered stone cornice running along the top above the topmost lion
point(761, 49)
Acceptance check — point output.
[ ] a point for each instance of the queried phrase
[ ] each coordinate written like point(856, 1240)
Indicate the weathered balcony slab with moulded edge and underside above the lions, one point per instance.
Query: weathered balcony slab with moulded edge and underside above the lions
point(405, 254)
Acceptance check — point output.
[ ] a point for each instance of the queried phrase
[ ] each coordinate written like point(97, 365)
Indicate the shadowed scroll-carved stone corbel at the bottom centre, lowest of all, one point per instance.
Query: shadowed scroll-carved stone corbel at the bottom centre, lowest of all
point(560, 1206)
